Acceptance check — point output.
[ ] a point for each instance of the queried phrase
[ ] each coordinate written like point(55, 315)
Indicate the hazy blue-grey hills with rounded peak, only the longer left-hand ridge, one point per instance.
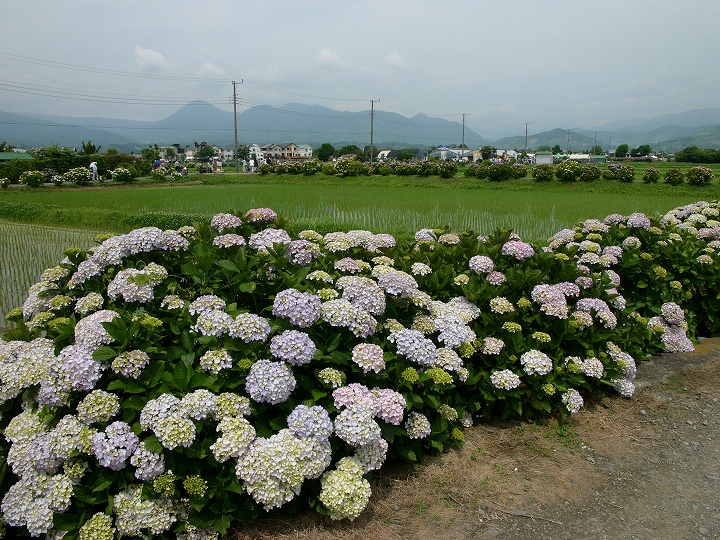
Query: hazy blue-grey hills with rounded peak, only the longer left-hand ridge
point(200, 121)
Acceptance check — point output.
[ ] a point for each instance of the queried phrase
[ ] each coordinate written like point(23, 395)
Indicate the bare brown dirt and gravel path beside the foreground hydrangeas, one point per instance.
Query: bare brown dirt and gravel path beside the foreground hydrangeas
point(640, 468)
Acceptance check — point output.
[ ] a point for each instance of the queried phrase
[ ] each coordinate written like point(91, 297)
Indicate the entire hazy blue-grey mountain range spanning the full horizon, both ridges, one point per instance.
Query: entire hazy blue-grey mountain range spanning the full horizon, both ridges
point(313, 124)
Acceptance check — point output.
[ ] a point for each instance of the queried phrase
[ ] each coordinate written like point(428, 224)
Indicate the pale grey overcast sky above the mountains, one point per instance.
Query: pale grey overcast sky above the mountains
point(556, 63)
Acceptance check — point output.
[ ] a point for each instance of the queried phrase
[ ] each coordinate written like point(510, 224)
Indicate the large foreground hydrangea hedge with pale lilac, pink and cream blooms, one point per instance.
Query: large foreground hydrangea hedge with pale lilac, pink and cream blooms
point(169, 382)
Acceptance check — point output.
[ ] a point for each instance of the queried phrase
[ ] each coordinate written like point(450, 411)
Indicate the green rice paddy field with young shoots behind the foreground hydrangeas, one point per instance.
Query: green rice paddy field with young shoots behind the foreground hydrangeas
point(393, 205)
